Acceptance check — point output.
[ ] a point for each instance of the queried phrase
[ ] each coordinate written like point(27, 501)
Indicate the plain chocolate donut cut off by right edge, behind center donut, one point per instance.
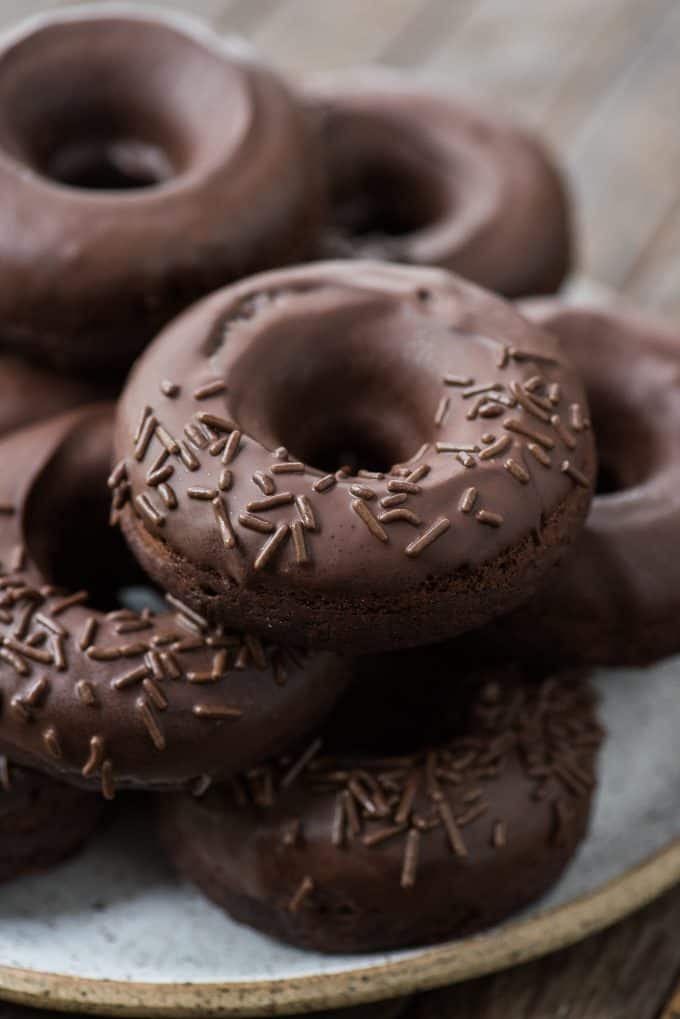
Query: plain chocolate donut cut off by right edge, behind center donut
point(616, 598)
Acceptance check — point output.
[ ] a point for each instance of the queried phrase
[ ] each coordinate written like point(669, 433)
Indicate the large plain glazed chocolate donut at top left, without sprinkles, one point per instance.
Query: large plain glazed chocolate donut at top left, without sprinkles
point(144, 163)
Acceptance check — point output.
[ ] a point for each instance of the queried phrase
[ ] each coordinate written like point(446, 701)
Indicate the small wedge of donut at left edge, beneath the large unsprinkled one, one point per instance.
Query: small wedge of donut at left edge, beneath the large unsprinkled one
point(29, 393)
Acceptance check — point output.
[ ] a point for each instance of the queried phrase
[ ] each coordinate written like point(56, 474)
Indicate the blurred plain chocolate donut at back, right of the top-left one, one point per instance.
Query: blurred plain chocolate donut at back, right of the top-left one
point(416, 177)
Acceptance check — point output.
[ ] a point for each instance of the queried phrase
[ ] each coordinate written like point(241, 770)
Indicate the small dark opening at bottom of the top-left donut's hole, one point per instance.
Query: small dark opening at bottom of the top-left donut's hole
point(109, 165)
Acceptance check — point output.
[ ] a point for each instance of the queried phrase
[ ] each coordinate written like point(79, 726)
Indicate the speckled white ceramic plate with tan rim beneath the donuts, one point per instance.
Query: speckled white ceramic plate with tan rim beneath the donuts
point(113, 930)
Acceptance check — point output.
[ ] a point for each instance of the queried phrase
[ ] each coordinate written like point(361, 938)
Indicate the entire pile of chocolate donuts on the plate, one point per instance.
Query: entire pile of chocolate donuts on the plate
point(297, 518)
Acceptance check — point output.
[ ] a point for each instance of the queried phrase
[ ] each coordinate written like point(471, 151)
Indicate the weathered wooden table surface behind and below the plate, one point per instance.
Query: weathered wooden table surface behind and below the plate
point(601, 81)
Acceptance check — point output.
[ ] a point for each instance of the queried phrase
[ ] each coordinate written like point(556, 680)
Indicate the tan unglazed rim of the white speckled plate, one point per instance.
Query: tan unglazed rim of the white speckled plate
point(435, 968)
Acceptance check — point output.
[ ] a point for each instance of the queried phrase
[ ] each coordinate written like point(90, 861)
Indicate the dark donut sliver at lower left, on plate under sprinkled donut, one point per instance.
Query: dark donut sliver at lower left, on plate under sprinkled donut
point(42, 821)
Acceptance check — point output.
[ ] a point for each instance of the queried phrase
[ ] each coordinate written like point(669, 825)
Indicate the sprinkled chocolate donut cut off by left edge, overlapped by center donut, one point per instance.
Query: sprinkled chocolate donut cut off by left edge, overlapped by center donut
point(122, 699)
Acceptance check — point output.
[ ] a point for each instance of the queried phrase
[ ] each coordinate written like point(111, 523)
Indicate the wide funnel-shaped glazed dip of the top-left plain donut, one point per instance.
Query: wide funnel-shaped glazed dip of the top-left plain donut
point(117, 104)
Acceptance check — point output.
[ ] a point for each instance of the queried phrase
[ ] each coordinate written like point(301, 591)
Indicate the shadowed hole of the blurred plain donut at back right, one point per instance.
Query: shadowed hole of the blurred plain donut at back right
point(382, 185)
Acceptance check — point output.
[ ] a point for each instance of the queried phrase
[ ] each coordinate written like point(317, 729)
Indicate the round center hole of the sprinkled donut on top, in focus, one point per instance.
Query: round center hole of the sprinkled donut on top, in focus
point(336, 394)
